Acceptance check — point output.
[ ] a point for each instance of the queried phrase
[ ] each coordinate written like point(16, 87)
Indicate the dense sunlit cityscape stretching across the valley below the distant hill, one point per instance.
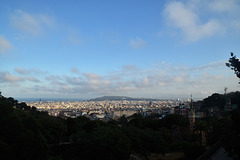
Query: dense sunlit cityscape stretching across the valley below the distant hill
point(106, 109)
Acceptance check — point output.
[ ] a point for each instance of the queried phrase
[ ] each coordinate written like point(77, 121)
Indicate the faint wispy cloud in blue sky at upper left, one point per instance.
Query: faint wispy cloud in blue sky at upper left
point(33, 24)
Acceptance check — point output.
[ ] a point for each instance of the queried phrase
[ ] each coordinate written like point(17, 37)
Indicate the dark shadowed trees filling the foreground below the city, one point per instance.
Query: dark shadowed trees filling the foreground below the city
point(26, 133)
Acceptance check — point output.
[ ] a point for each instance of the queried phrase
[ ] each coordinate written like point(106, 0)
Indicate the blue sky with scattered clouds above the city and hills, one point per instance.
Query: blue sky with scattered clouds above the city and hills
point(137, 48)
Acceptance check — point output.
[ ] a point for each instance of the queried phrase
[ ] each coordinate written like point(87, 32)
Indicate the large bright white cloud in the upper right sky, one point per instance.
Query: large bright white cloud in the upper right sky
point(182, 16)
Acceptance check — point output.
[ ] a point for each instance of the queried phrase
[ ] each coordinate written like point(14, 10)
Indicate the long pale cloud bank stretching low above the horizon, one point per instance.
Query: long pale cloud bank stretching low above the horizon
point(165, 81)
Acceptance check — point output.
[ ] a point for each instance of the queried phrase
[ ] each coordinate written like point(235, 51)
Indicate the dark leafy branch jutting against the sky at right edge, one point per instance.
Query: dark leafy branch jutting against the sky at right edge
point(234, 64)
